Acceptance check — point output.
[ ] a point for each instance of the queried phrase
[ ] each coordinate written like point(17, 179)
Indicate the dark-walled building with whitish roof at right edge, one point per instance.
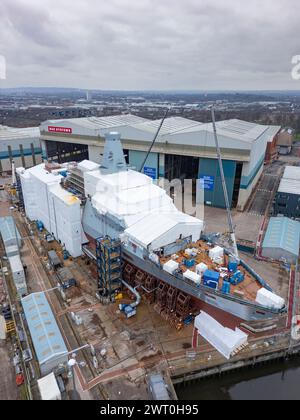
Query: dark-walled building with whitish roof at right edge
point(287, 200)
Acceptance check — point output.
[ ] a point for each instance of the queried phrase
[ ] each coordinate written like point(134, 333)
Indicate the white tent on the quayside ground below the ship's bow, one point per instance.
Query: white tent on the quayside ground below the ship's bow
point(224, 340)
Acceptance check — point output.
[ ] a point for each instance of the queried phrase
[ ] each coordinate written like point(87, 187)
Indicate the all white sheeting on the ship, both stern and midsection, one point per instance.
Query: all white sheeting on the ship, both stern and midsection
point(126, 203)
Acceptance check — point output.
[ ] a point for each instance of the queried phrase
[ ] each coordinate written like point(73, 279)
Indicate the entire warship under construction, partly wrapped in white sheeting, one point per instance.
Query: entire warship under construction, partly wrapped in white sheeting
point(162, 249)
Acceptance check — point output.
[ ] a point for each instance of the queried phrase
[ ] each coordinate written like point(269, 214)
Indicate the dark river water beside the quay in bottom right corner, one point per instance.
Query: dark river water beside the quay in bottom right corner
point(278, 381)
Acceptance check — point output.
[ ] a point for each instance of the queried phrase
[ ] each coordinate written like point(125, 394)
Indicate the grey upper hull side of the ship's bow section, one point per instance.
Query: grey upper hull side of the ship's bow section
point(244, 310)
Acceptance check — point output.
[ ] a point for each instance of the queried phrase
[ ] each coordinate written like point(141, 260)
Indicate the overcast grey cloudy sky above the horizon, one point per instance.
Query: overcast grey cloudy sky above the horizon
point(150, 44)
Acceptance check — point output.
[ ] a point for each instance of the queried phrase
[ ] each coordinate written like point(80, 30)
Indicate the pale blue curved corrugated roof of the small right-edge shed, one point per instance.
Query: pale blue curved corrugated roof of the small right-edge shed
point(283, 233)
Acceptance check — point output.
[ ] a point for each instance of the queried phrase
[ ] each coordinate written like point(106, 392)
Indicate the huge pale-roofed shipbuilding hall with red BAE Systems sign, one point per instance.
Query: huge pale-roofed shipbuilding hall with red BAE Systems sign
point(185, 149)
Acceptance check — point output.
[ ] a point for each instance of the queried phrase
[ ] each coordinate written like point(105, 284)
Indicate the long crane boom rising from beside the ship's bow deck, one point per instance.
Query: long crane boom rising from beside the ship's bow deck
point(228, 208)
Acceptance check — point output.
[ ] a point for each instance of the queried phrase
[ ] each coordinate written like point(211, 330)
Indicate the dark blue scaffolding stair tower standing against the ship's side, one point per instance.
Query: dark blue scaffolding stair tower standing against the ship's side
point(108, 254)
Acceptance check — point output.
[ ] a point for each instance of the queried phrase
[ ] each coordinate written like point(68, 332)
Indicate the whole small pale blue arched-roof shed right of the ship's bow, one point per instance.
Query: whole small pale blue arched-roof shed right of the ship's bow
point(282, 240)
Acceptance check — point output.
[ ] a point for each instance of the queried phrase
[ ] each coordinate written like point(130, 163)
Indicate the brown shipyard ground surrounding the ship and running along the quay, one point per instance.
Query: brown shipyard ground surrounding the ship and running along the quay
point(146, 343)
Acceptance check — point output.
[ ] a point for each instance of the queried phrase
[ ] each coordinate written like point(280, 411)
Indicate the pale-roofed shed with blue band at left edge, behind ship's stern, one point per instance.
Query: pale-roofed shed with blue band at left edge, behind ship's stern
point(21, 145)
